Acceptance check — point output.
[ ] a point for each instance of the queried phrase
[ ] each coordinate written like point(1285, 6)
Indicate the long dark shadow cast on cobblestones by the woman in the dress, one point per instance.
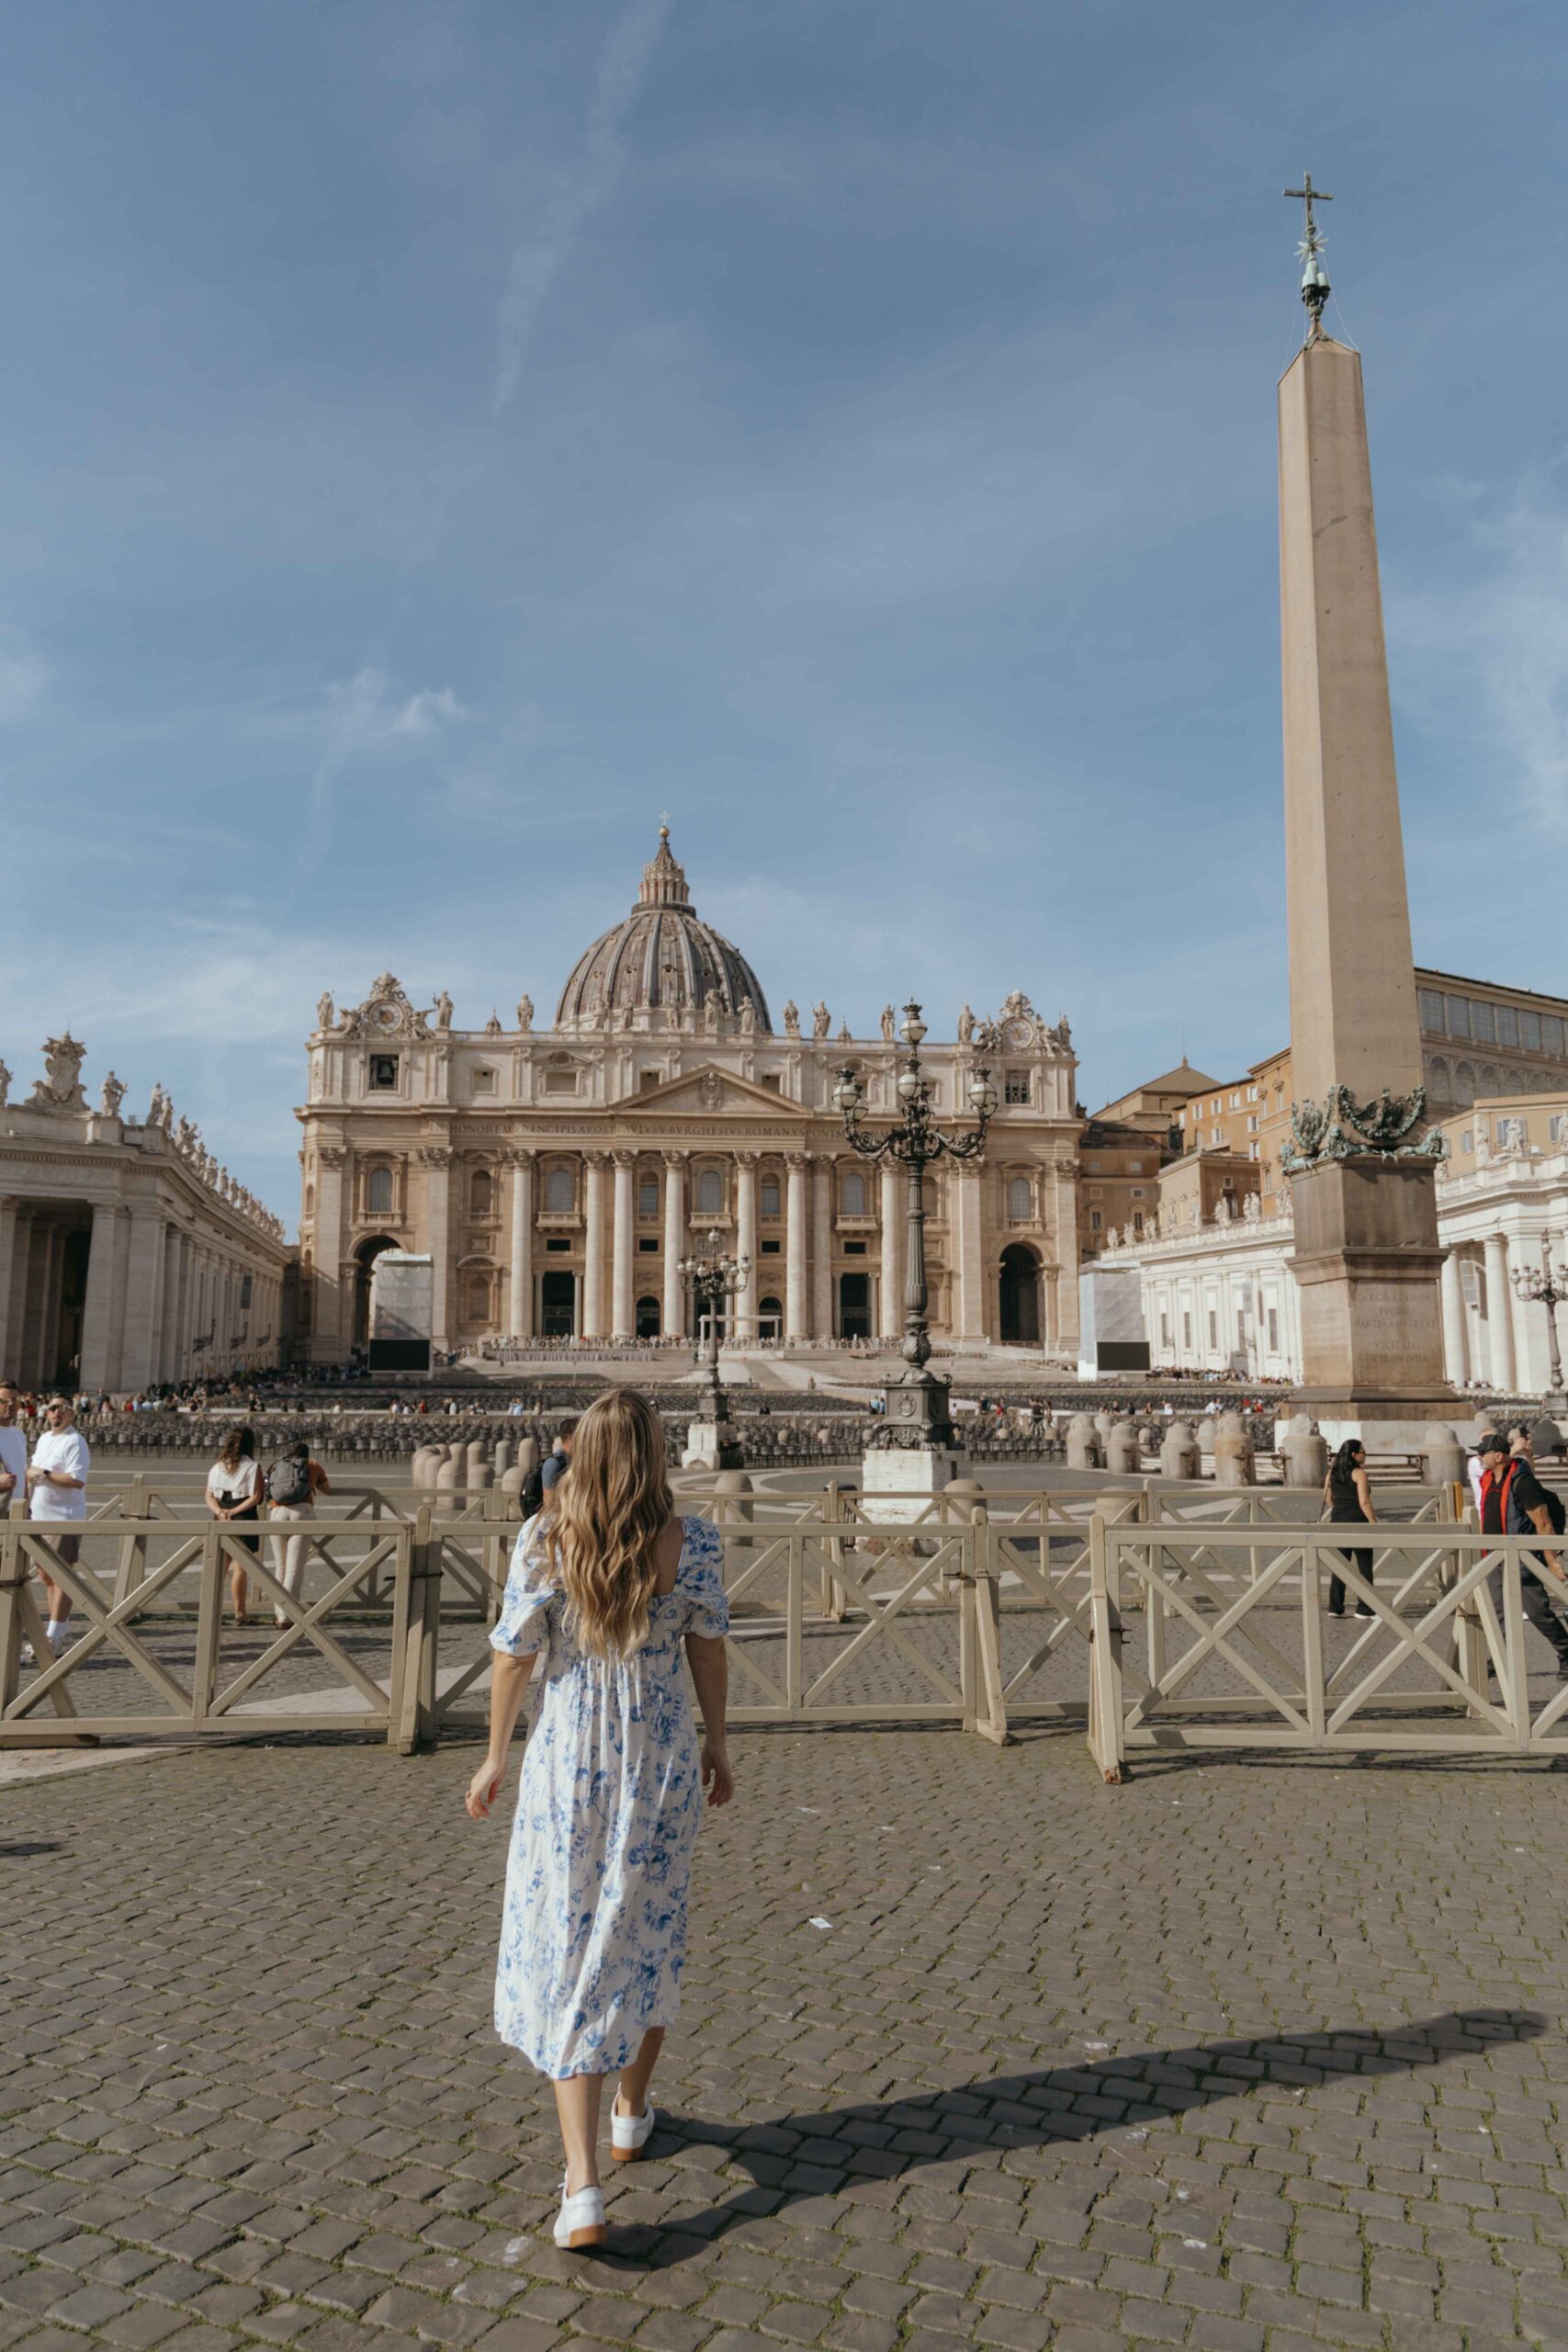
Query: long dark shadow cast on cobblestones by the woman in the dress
point(812, 2156)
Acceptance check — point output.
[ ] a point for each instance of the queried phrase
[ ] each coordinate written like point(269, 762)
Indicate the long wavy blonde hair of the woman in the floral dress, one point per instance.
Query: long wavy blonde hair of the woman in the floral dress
point(605, 1521)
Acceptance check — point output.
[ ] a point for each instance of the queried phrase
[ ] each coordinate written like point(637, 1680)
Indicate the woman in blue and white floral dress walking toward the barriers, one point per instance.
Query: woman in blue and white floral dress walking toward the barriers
point(608, 1586)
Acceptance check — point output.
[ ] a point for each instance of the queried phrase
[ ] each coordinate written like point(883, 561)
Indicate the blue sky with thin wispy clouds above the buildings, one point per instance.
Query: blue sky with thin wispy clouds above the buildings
point(438, 436)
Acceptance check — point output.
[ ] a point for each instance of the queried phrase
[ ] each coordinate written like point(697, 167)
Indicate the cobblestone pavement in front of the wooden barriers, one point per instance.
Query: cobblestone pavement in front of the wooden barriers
point(1235, 2057)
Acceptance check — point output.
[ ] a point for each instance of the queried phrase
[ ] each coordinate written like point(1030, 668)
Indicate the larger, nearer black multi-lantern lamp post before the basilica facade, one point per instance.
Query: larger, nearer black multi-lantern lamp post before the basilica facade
point(918, 1415)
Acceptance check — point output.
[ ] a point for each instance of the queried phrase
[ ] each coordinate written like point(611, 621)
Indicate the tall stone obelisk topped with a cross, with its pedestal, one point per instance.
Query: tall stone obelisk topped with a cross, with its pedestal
point(1367, 1252)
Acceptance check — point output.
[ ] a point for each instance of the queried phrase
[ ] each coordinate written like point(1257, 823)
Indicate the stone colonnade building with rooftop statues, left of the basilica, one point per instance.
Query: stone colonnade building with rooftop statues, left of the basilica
point(126, 1252)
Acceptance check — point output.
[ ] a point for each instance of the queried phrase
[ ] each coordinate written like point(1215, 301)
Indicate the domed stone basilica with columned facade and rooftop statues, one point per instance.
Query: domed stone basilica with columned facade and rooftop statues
point(556, 1177)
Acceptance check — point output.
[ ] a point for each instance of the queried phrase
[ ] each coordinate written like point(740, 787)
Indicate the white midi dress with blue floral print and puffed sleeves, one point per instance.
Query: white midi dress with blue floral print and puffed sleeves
point(594, 1935)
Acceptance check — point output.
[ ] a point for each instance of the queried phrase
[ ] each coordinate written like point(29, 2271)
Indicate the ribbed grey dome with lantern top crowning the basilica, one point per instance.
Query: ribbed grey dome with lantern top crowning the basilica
point(664, 956)
